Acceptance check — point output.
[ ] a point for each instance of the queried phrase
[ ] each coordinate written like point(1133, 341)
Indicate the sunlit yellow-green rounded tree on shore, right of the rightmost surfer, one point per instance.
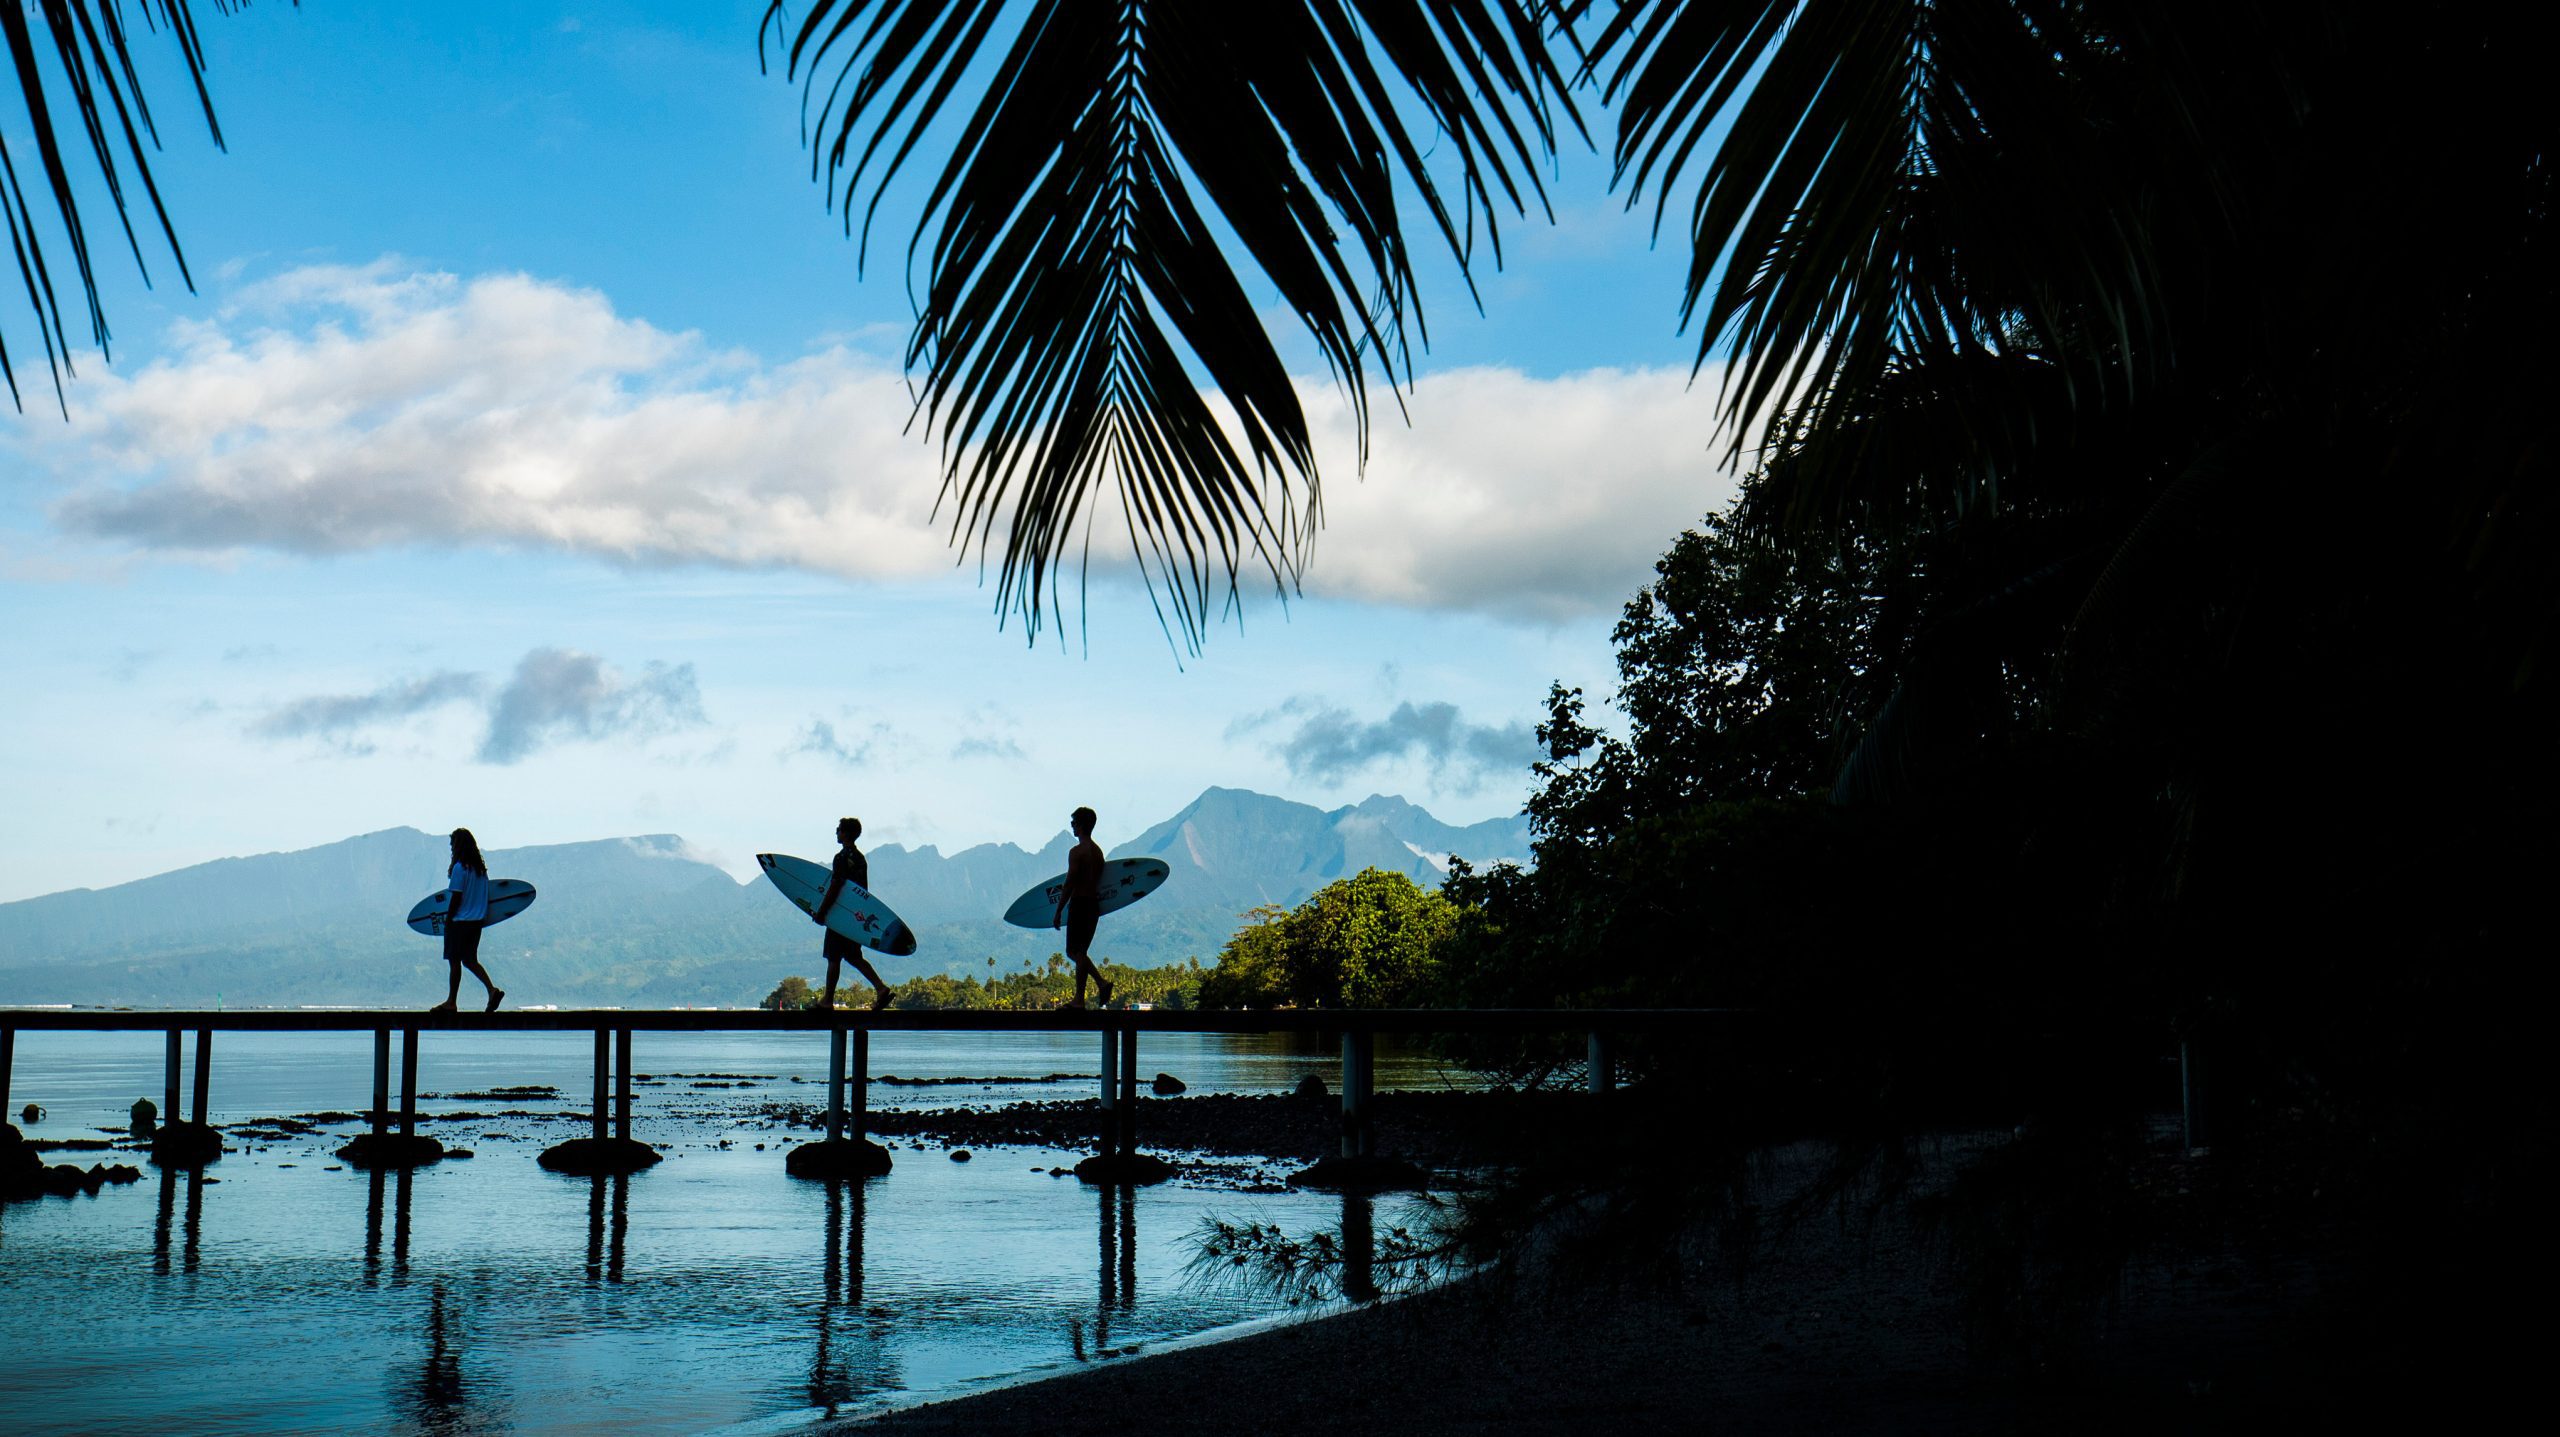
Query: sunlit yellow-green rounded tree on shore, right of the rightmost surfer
point(1363, 941)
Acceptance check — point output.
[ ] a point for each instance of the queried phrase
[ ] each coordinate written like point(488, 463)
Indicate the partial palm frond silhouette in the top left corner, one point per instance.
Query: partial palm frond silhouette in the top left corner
point(93, 68)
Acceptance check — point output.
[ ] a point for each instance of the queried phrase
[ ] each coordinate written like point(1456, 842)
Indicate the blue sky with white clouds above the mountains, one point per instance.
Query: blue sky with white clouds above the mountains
point(534, 460)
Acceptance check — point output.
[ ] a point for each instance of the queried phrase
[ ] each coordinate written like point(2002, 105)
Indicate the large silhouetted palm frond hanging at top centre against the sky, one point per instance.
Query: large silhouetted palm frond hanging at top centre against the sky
point(1094, 229)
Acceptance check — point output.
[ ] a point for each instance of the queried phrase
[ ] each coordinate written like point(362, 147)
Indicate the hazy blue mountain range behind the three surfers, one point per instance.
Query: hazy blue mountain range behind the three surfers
point(646, 923)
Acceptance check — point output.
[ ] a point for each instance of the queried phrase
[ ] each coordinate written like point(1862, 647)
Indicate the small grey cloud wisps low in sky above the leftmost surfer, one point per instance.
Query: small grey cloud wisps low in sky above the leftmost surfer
point(554, 695)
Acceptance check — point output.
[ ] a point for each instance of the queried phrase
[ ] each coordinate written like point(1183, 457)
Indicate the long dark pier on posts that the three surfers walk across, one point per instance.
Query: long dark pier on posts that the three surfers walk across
point(849, 1051)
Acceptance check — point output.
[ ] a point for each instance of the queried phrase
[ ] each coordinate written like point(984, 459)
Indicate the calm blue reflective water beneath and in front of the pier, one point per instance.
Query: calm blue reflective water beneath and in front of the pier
point(713, 1292)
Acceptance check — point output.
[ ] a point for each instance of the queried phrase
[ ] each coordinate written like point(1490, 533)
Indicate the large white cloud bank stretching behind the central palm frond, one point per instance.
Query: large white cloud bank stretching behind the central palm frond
point(352, 409)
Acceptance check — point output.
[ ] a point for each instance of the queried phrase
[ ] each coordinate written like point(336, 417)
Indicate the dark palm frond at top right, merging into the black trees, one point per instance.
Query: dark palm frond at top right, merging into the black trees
point(1891, 178)
